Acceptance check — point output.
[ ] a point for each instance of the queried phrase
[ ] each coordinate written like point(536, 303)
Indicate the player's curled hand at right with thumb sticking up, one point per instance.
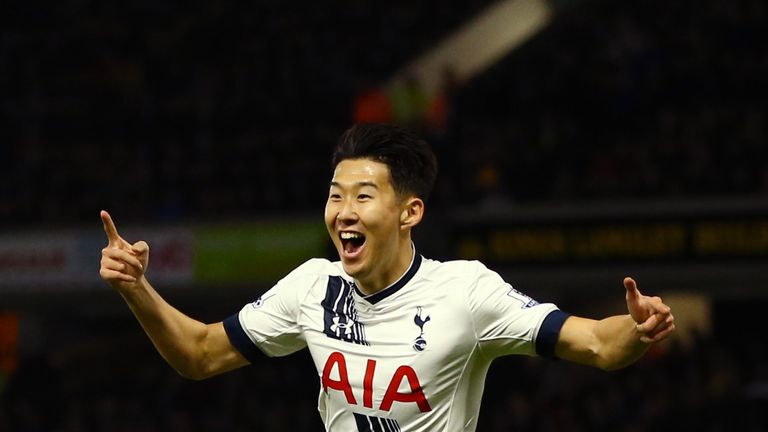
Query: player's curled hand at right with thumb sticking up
point(654, 318)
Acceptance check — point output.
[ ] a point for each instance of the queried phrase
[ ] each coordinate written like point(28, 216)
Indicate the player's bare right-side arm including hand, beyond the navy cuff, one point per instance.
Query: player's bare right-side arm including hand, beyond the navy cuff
point(616, 341)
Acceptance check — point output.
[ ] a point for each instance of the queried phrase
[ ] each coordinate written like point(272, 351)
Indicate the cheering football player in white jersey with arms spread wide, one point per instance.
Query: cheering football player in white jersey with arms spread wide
point(400, 342)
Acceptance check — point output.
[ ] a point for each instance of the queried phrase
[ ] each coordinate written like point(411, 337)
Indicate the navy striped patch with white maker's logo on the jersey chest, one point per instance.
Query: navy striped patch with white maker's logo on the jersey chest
point(340, 313)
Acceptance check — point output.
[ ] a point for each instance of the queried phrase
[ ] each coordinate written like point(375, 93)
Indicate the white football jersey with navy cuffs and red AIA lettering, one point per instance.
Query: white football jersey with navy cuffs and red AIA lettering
point(412, 357)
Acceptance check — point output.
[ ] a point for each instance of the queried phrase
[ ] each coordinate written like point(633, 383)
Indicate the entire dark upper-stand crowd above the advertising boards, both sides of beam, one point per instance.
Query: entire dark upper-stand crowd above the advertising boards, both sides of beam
point(164, 111)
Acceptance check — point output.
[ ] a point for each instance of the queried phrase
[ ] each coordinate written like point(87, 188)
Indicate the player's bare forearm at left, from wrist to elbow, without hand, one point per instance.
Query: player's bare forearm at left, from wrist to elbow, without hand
point(181, 340)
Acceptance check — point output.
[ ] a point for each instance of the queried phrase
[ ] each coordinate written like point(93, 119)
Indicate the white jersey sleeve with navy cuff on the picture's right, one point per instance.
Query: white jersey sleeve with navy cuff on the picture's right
point(510, 322)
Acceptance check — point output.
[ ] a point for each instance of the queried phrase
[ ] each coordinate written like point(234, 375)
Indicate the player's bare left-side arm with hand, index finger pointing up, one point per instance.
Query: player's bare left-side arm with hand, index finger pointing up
point(195, 349)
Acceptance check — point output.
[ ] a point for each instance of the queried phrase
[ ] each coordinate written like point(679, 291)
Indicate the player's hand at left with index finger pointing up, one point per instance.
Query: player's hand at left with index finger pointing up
point(122, 264)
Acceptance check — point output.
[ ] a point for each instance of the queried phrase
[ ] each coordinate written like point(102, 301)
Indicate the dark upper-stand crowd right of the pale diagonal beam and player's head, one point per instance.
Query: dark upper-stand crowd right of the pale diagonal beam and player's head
point(624, 99)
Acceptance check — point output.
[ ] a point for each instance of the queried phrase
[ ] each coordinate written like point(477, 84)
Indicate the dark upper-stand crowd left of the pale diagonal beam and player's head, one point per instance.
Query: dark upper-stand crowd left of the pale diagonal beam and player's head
point(161, 110)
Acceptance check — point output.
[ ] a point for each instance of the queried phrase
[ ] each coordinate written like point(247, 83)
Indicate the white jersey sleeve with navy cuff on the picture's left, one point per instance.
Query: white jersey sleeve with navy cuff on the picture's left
point(270, 324)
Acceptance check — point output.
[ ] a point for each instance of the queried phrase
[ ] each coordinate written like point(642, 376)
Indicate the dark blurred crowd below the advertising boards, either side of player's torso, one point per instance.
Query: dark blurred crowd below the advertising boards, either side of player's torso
point(121, 384)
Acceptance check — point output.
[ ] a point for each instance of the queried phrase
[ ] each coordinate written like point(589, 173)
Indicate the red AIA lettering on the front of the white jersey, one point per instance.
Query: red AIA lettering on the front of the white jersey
point(336, 365)
